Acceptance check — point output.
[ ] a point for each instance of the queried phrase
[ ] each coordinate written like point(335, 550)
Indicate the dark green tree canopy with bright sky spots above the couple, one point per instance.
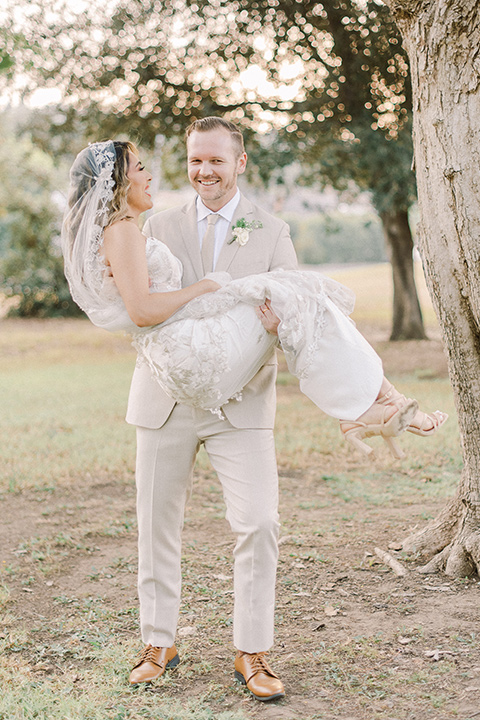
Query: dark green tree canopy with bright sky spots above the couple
point(162, 64)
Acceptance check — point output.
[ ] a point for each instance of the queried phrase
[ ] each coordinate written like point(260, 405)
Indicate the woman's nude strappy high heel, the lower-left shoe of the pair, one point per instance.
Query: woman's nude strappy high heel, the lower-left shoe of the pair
point(386, 429)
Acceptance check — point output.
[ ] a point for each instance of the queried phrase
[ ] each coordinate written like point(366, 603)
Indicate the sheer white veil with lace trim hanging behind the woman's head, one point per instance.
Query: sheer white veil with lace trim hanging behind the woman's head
point(89, 202)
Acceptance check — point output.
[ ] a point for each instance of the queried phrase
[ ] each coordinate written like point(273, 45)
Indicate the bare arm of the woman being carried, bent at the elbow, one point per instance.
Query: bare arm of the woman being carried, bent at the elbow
point(124, 252)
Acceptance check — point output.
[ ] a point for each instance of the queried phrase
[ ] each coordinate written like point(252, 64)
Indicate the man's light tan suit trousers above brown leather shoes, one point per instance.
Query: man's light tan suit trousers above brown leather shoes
point(244, 460)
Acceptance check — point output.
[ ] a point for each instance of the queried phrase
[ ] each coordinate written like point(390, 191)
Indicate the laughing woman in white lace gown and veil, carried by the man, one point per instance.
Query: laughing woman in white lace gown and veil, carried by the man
point(204, 343)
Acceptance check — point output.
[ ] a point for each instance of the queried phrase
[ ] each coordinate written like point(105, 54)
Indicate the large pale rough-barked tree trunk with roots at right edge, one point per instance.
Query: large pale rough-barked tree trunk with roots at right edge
point(442, 40)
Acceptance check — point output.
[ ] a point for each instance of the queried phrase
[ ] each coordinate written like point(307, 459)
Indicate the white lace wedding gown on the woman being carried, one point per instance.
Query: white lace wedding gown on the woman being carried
point(209, 349)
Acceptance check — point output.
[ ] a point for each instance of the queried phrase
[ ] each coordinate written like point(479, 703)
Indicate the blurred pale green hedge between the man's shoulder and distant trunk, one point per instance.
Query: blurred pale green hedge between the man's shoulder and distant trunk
point(337, 238)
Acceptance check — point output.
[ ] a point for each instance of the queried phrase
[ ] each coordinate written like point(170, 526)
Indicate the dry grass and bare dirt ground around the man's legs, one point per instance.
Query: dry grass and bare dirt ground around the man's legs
point(354, 642)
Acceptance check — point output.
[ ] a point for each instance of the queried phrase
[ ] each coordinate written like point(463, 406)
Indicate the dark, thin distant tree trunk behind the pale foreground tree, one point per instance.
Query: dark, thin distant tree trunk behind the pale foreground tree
point(407, 315)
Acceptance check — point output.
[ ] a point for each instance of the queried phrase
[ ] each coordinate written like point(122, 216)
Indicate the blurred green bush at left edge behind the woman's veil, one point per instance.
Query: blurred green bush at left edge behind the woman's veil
point(31, 266)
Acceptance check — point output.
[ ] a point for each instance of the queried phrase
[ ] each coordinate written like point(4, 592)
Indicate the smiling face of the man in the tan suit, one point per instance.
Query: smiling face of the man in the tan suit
point(213, 166)
